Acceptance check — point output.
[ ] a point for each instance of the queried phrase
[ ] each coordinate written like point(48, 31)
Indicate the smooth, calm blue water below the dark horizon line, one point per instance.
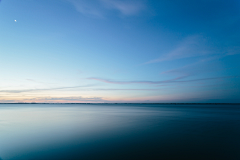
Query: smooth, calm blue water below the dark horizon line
point(129, 131)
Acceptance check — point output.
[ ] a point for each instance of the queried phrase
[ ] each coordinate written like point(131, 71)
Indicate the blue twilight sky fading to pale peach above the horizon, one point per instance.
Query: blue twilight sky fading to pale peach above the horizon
point(113, 51)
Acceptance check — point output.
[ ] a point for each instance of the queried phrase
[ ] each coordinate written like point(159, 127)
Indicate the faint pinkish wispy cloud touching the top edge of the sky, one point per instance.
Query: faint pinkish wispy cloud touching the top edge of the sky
point(99, 8)
